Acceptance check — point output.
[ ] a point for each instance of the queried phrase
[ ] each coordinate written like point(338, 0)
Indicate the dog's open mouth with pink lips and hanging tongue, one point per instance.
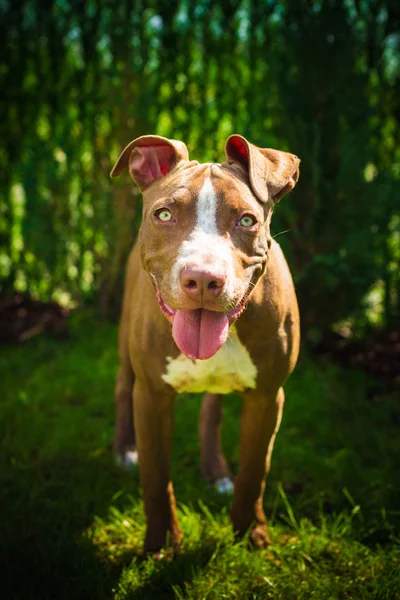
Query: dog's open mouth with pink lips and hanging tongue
point(200, 333)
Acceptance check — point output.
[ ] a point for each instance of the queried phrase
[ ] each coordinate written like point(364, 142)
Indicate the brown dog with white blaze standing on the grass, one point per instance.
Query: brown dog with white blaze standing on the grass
point(209, 305)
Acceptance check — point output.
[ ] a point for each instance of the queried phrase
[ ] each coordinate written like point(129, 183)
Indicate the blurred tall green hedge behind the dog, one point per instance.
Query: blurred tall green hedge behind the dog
point(81, 79)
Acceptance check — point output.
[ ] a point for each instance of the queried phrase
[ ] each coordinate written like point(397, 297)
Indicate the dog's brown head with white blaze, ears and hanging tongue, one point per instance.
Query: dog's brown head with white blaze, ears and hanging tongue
point(205, 233)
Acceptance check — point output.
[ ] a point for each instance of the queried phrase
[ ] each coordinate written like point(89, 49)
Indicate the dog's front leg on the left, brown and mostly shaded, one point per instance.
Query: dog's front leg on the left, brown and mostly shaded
point(153, 412)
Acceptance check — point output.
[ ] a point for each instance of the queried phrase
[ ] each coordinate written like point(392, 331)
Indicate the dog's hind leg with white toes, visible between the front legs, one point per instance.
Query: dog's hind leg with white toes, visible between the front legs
point(213, 463)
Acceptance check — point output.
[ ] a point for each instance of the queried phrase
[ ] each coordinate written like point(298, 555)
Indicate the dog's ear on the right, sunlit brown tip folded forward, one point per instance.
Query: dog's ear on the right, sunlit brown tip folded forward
point(272, 173)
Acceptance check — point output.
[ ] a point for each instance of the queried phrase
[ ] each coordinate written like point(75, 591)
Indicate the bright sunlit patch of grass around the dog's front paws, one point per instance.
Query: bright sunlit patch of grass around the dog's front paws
point(303, 559)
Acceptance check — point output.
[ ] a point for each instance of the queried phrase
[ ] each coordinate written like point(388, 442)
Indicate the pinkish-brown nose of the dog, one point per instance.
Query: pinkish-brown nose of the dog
point(200, 284)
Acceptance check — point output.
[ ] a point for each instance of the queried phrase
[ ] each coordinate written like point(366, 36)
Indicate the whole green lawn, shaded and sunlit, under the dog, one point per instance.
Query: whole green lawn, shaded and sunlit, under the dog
point(72, 523)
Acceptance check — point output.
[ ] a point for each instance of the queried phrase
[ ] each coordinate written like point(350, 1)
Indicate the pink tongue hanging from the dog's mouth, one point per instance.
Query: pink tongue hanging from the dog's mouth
point(200, 333)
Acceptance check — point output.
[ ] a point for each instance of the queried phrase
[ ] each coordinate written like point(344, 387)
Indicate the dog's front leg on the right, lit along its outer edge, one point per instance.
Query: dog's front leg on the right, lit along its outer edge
point(260, 420)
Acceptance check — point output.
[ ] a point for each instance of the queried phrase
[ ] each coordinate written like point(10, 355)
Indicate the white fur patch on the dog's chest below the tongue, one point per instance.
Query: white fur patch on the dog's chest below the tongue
point(230, 369)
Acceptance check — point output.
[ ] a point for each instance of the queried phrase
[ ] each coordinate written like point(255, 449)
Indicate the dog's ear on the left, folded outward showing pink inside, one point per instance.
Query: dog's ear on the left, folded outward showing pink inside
point(150, 157)
